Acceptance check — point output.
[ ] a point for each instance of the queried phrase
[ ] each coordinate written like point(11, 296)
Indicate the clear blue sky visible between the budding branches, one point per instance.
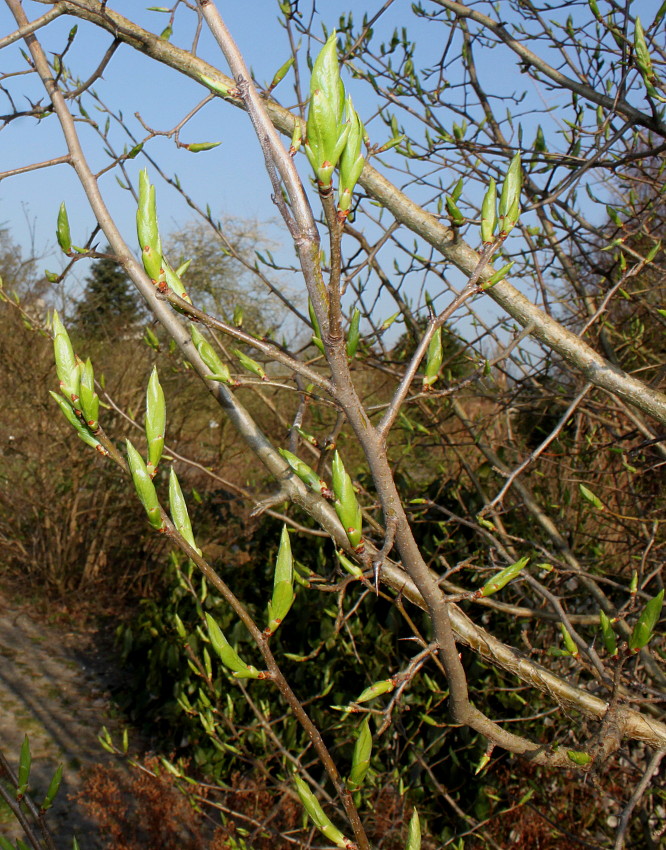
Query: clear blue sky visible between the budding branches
point(230, 178)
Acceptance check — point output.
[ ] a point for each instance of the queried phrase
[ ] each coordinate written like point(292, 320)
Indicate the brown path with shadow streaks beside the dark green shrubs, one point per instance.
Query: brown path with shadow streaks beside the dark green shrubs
point(54, 687)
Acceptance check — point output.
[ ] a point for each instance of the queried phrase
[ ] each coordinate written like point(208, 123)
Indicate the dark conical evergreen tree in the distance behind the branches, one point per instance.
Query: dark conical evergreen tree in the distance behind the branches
point(109, 305)
